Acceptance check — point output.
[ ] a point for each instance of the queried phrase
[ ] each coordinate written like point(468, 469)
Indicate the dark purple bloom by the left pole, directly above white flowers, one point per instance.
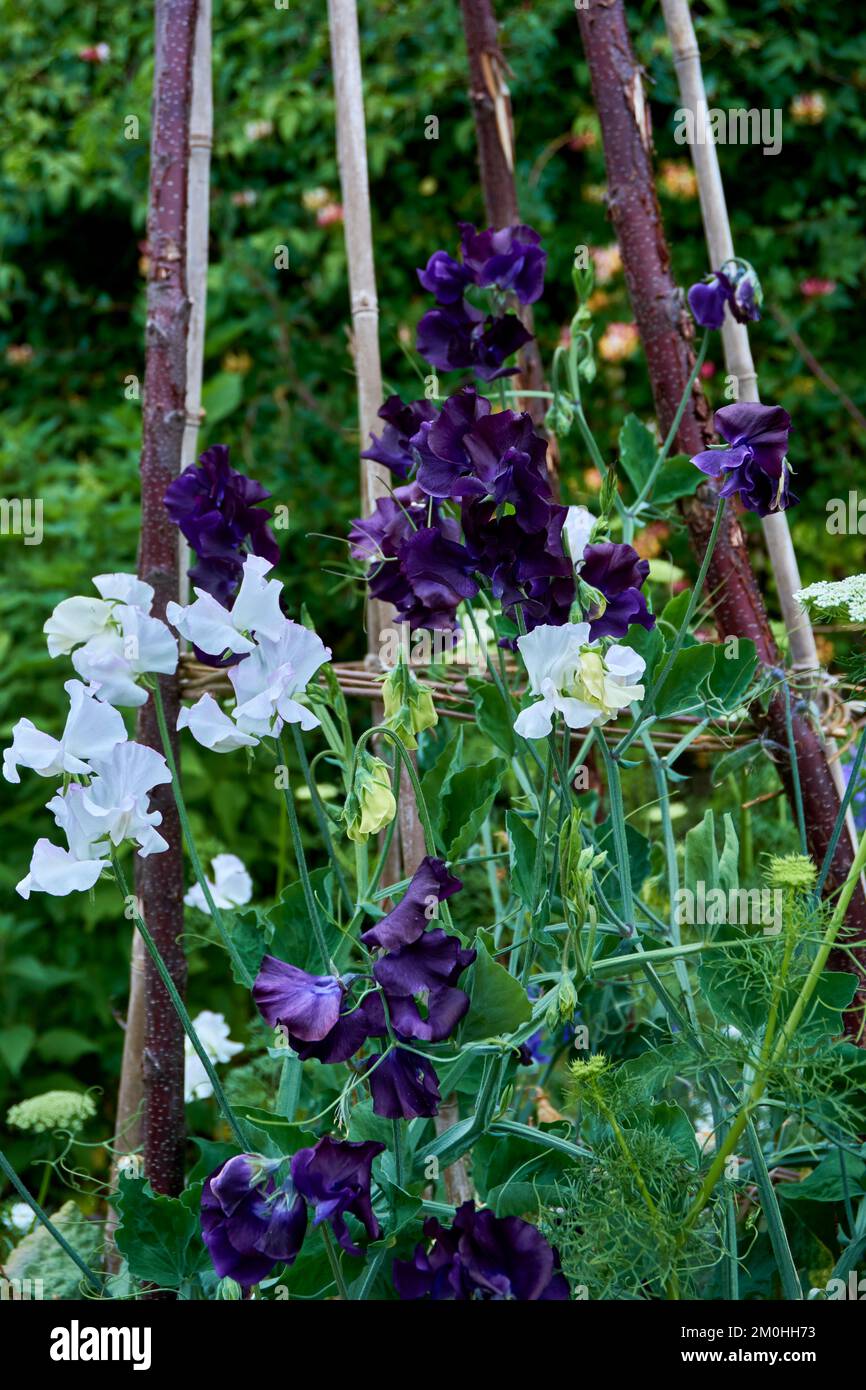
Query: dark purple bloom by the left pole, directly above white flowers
point(216, 509)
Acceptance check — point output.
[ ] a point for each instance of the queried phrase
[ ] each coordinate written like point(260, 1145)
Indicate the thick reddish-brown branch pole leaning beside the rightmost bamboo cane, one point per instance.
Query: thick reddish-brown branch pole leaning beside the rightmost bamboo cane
point(667, 336)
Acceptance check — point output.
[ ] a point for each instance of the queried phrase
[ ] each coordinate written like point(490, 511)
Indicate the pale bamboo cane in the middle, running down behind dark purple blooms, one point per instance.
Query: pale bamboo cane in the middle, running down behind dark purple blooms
point(355, 188)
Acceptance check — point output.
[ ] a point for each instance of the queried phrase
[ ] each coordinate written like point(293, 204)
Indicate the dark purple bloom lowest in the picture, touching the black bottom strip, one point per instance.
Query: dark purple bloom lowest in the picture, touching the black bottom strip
point(482, 1256)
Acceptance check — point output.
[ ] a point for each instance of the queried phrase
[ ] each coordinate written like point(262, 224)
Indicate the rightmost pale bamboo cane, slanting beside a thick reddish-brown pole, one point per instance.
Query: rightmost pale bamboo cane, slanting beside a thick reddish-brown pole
point(736, 337)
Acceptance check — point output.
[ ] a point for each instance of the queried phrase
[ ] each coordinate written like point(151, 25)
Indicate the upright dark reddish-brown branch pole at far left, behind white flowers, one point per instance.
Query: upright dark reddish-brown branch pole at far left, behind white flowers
point(161, 878)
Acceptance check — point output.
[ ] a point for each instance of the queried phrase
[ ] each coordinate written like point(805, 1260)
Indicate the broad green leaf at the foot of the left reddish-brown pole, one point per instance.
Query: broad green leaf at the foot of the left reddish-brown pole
point(161, 1235)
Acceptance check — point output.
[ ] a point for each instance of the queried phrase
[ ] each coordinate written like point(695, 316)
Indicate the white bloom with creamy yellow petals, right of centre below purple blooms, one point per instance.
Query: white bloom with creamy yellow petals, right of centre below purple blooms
point(576, 679)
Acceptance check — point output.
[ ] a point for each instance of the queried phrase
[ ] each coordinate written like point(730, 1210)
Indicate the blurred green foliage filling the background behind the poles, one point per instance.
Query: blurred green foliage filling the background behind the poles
point(279, 373)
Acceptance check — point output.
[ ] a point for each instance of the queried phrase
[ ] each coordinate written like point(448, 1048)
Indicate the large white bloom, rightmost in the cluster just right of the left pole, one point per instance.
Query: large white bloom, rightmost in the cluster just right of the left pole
point(268, 682)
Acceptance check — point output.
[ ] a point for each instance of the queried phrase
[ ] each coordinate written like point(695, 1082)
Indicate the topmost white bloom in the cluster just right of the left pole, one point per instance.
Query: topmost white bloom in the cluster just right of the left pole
point(256, 610)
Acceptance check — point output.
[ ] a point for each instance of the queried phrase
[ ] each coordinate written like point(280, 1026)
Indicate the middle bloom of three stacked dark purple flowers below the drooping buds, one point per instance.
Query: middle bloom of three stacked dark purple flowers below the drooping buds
point(425, 974)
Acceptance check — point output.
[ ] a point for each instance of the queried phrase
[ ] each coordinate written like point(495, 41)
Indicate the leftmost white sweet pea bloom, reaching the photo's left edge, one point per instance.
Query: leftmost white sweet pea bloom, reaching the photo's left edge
point(92, 730)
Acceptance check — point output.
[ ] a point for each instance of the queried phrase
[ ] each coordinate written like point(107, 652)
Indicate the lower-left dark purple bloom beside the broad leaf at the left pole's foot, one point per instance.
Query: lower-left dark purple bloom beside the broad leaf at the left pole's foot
point(250, 1225)
